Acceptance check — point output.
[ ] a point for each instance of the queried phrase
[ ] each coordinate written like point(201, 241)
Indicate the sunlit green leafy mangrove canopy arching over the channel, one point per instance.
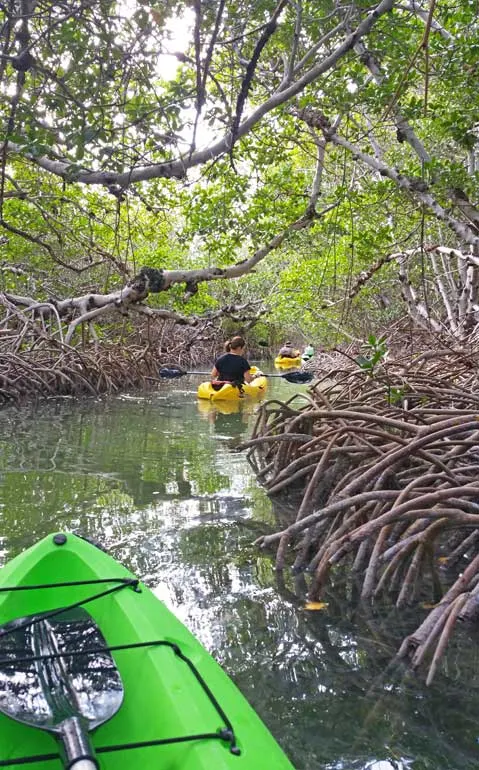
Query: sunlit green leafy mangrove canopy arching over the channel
point(102, 96)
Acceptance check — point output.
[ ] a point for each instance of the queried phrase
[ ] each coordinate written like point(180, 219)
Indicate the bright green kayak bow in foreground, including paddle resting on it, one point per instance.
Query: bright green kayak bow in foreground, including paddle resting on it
point(95, 671)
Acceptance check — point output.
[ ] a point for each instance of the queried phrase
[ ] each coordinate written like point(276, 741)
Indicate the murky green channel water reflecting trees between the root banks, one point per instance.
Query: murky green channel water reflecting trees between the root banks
point(156, 479)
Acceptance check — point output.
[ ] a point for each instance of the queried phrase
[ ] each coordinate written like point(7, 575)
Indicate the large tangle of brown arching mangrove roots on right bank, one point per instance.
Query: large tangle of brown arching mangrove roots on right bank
point(385, 470)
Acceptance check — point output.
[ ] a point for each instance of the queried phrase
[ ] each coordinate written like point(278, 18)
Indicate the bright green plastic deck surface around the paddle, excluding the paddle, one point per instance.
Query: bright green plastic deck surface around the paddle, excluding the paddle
point(180, 710)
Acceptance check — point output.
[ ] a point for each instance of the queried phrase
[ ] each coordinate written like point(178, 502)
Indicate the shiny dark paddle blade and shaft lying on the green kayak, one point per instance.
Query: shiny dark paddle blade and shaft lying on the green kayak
point(57, 674)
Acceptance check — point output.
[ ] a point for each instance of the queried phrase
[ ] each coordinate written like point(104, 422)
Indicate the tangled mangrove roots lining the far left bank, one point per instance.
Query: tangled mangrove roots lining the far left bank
point(36, 363)
